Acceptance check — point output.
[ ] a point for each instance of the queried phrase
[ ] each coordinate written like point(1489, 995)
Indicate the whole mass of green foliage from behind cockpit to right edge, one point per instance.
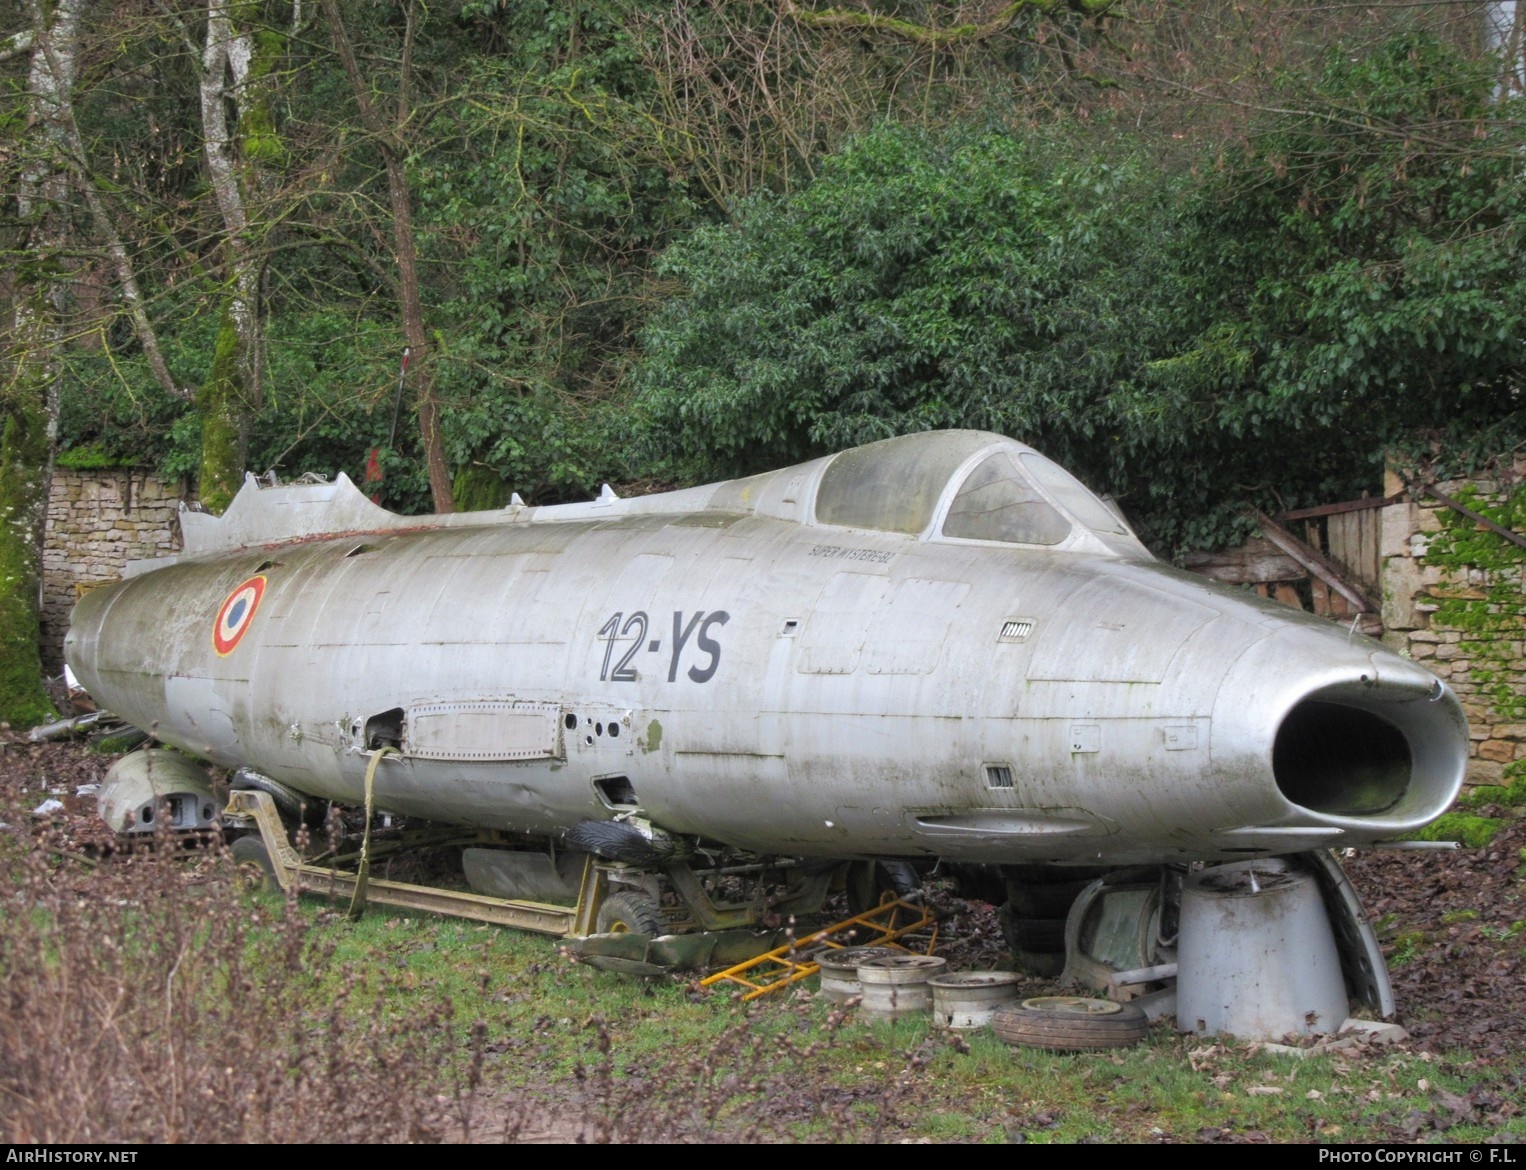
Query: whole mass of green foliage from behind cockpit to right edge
point(1347, 281)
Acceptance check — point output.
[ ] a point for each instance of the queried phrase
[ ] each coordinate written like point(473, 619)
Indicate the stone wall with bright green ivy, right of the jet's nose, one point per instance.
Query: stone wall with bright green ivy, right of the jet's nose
point(1455, 600)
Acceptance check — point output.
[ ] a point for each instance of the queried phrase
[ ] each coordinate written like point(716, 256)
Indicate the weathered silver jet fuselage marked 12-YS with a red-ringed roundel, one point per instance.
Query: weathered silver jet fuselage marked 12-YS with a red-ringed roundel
point(739, 670)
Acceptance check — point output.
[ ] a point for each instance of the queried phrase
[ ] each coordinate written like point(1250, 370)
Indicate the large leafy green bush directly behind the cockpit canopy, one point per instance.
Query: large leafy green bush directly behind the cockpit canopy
point(971, 278)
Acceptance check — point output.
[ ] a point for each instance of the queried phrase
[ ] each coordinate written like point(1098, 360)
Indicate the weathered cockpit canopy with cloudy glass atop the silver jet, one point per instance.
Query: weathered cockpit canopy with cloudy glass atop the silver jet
point(985, 486)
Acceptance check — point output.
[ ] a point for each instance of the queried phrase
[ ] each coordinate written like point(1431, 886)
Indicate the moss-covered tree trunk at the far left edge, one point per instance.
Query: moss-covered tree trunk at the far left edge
point(30, 394)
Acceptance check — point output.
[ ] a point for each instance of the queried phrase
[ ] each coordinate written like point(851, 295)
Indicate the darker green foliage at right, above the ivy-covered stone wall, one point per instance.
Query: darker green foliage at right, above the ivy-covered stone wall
point(1363, 260)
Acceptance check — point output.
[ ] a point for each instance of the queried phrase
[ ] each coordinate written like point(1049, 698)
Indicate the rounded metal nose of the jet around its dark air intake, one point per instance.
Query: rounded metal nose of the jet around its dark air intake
point(1363, 745)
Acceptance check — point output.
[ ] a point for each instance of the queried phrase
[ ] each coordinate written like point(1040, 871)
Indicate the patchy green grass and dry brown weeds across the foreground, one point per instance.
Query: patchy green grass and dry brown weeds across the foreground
point(149, 1001)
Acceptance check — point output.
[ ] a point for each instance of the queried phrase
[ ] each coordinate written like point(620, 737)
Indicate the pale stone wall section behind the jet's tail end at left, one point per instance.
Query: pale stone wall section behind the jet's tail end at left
point(98, 522)
